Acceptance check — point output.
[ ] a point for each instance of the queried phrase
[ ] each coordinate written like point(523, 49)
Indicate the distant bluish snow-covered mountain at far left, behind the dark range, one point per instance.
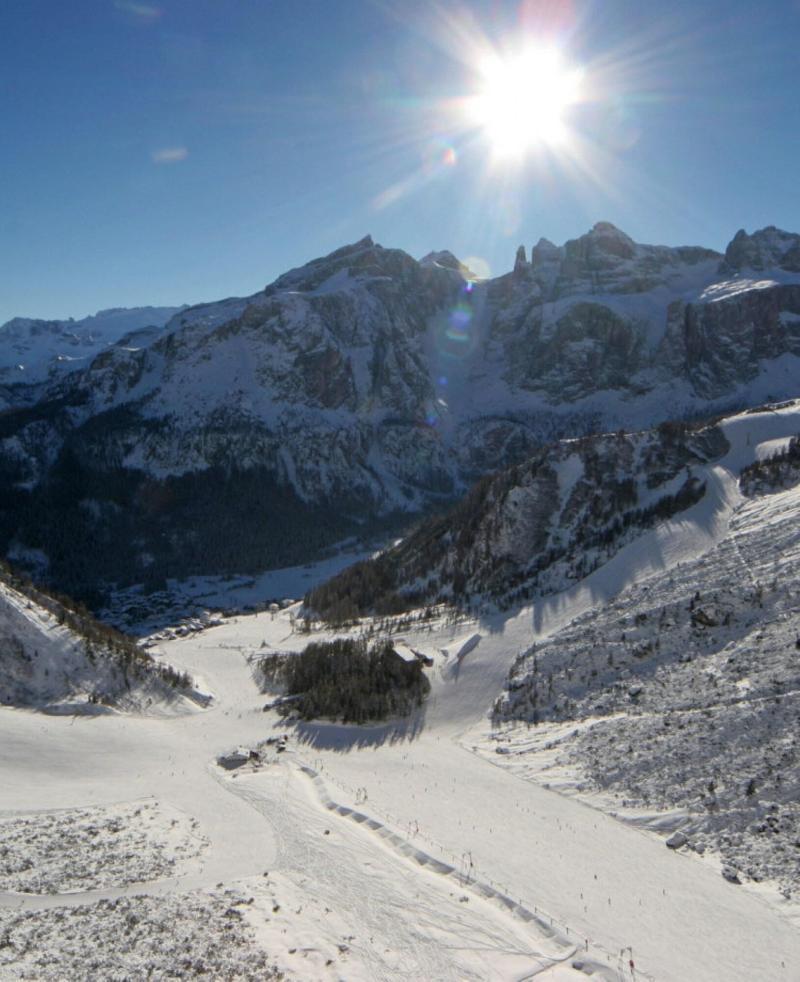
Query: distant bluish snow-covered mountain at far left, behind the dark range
point(34, 350)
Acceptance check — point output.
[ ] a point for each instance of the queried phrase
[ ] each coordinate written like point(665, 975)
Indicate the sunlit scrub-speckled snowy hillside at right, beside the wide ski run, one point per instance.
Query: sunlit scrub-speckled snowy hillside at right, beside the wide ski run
point(682, 697)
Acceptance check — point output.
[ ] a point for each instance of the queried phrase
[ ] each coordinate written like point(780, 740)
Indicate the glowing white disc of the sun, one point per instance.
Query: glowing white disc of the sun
point(523, 100)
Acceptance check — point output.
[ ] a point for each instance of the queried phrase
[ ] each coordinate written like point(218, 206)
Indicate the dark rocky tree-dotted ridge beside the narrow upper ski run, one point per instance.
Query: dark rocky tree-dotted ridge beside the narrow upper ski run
point(536, 527)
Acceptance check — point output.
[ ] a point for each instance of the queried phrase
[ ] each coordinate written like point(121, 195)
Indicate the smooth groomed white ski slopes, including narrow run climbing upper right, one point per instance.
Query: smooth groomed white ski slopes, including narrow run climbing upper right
point(598, 879)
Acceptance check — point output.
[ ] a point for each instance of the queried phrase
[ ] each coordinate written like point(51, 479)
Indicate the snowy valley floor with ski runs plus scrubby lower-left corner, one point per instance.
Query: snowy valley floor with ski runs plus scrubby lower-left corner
point(387, 852)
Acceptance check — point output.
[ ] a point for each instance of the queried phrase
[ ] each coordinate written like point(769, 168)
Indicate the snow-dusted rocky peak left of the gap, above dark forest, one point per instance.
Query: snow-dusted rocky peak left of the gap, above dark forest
point(322, 377)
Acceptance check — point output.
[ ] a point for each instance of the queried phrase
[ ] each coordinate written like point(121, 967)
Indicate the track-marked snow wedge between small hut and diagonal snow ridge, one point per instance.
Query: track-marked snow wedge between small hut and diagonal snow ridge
point(372, 912)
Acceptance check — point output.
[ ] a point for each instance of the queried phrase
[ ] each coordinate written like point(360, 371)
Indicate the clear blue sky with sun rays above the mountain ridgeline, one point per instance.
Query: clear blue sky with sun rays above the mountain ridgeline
point(175, 151)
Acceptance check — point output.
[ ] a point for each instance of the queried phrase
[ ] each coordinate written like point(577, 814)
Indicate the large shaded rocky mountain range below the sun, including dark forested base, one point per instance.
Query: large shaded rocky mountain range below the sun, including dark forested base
point(247, 433)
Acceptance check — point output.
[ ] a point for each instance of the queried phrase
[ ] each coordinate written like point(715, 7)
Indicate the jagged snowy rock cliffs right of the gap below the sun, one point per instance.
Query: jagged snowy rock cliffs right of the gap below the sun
point(604, 313)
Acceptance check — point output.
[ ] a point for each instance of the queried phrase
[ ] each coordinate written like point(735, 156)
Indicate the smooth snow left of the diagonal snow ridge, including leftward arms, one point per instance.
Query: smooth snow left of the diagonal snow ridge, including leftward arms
point(394, 919)
